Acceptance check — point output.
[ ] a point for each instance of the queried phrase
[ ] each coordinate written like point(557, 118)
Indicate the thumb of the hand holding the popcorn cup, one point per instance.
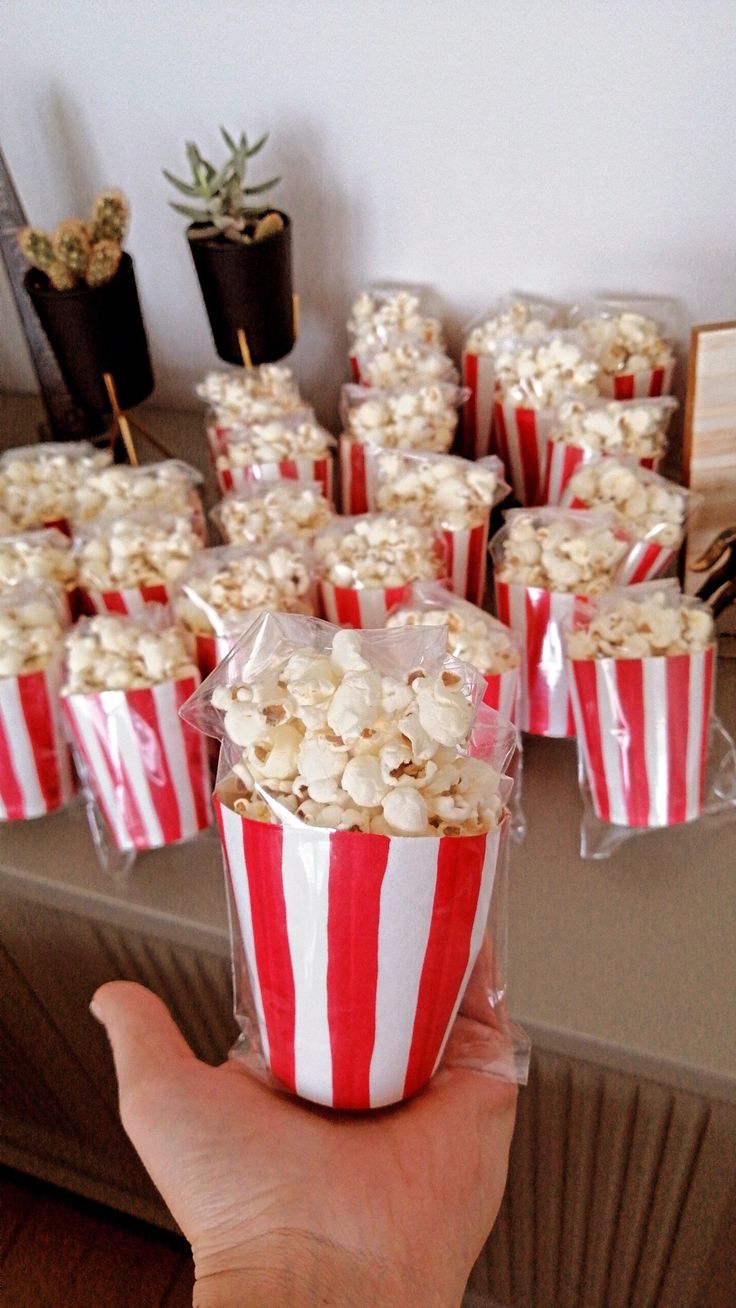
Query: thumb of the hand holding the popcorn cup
point(147, 1043)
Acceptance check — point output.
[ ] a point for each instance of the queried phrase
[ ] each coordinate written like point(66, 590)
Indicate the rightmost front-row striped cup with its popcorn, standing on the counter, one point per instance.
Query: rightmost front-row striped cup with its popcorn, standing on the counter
point(643, 678)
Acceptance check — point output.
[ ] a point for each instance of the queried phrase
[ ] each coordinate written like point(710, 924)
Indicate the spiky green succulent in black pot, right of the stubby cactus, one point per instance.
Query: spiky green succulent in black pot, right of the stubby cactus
point(243, 254)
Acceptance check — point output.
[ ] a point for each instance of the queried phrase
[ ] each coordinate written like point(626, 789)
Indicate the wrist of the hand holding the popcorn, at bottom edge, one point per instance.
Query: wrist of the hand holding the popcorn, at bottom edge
point(303, 1271)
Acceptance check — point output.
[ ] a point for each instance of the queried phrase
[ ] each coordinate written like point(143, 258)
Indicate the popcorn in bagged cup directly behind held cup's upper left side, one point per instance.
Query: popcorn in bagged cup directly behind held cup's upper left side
point(227, 583)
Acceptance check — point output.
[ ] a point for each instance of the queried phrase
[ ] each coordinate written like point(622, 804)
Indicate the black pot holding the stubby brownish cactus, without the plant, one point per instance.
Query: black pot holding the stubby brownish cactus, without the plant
point(96, 330)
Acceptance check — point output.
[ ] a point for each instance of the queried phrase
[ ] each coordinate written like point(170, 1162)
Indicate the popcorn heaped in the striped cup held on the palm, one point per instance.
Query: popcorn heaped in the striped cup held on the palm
point(341, 746)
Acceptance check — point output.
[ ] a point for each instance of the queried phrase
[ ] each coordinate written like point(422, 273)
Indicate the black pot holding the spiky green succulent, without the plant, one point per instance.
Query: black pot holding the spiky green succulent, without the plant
point(249, 287)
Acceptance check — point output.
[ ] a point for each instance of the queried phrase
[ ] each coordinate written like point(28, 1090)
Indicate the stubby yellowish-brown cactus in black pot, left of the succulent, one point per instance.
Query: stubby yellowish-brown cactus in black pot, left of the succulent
point(83, 287)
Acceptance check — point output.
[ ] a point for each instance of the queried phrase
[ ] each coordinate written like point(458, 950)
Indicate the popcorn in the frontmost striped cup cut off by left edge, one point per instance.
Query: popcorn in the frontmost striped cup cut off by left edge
point(31, 630)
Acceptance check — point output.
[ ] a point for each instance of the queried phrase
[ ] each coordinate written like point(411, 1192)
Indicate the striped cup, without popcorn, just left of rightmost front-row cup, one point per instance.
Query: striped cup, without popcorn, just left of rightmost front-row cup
point(537, 618)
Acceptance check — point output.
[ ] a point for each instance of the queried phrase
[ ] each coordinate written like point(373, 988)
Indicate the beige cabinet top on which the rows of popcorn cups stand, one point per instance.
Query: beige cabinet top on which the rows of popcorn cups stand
point(631, 961)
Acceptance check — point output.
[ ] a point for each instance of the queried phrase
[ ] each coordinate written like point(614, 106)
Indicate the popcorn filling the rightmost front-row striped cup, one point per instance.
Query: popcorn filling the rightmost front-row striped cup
point(644, 628)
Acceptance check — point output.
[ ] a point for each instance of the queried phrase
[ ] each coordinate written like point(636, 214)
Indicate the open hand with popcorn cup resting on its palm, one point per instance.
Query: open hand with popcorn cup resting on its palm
point(288, 1204)
